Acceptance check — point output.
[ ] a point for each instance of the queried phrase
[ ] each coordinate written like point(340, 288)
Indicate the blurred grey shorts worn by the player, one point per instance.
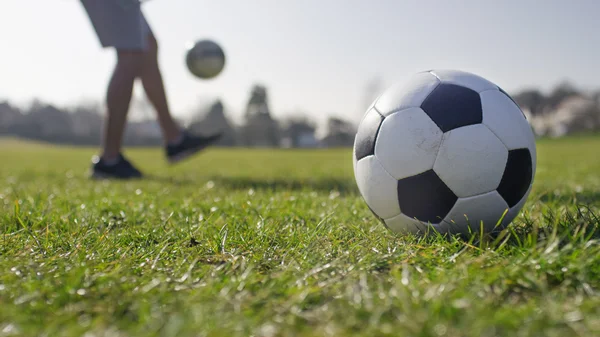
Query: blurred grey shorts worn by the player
point(118, 23)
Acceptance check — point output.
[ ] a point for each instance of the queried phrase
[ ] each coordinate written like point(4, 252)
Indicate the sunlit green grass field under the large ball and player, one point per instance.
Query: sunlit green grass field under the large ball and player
point(279, 243)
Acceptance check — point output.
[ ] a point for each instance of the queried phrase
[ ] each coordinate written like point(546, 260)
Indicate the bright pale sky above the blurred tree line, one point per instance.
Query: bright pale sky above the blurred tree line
point(315, 56)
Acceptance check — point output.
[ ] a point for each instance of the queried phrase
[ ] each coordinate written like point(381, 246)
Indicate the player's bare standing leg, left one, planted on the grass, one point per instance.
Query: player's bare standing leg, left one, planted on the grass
point(118, 98)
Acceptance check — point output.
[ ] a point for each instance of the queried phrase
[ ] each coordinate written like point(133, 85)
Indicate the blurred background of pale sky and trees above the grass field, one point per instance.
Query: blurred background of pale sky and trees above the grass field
point(299, 73)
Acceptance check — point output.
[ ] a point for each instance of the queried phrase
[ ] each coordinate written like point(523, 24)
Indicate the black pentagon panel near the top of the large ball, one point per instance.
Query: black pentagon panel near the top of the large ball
point(453, 106)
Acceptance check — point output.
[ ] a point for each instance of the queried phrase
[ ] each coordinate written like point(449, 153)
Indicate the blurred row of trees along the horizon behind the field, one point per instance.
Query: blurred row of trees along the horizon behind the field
point(564, 110)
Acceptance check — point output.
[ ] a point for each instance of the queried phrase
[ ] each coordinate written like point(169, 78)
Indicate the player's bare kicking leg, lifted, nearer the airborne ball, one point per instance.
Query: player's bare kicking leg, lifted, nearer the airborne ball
point(153, 86)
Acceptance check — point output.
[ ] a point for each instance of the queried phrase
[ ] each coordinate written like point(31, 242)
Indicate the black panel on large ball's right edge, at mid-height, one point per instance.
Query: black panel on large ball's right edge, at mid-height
point(517, 176)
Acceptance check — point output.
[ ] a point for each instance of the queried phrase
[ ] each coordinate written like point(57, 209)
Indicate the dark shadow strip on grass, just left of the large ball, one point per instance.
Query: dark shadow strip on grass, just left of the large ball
point(343, 186)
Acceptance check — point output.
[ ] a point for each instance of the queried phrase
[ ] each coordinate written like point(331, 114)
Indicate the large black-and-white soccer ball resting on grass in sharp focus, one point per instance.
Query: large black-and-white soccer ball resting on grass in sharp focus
point(445, 150)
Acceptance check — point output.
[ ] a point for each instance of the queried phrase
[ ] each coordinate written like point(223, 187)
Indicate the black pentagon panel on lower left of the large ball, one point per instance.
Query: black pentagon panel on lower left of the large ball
point(425, 197)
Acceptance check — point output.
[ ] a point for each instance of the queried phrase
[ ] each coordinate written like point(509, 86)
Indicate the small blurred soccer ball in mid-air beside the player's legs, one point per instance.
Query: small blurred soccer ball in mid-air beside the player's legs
point(205, 59)
